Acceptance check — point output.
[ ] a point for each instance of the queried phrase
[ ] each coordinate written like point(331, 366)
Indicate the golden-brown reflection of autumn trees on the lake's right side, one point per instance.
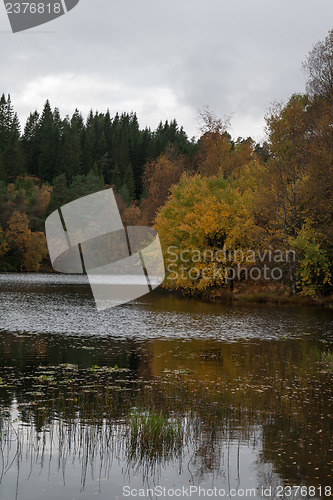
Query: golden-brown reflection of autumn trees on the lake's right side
point(274, 384)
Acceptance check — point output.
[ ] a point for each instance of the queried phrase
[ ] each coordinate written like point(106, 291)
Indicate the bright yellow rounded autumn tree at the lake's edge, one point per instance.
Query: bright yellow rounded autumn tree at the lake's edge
point(204, 218)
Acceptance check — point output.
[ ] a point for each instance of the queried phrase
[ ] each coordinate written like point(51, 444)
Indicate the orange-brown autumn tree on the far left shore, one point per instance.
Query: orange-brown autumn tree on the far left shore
point(28, 246)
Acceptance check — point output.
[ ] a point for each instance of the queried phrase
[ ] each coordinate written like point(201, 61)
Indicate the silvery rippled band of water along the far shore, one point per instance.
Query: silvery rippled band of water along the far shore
point(63, 304)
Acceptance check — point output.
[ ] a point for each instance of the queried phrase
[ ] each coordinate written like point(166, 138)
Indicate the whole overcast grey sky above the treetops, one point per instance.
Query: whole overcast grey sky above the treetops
point(165, 59)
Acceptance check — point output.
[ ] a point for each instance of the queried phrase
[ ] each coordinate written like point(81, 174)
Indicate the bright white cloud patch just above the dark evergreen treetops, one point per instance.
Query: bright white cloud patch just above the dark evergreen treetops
point(152, 105)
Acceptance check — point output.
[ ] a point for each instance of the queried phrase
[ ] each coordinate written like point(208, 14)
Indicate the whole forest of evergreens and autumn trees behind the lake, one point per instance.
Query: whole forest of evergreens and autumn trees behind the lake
point(267, 204)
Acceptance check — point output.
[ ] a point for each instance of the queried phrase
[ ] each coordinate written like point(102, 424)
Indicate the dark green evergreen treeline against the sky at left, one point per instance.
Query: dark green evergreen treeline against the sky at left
point(50, 146)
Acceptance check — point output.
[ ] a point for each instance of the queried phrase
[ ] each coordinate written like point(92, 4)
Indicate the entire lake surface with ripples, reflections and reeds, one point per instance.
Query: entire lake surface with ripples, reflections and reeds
point(161, 397)
